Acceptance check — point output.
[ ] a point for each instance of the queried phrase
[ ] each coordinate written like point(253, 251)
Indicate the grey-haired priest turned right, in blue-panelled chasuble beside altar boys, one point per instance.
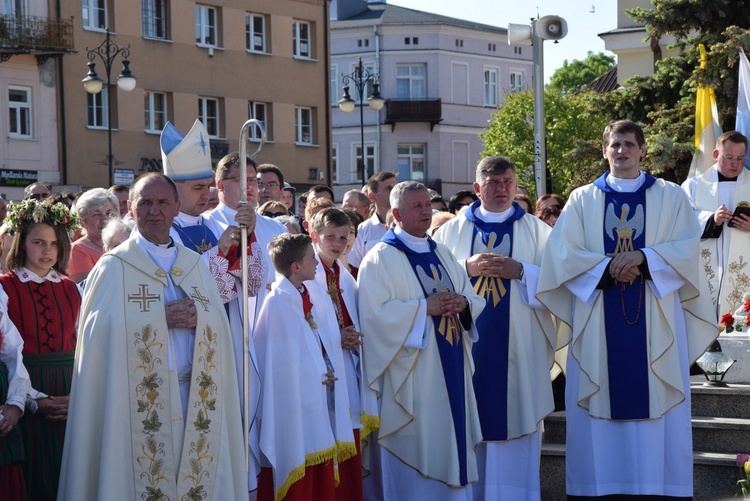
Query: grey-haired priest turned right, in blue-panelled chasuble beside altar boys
point(417, 309)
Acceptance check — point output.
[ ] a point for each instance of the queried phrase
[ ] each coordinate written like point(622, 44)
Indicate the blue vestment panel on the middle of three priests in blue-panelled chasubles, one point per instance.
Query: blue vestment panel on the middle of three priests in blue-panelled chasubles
point(491, 355)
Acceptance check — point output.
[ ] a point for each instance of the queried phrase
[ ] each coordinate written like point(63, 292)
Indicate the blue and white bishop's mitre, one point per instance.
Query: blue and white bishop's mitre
point(188, 157)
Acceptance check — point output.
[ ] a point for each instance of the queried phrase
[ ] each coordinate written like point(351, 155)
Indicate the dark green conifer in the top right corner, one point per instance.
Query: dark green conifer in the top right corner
point(665, 102)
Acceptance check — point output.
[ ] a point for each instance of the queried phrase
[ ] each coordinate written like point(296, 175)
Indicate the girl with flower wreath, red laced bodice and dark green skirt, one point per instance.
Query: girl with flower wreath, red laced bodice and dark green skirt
point(42, 306)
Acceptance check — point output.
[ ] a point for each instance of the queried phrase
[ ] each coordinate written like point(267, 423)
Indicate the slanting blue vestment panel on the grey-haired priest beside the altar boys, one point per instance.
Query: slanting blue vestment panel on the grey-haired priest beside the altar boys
point(433, 277)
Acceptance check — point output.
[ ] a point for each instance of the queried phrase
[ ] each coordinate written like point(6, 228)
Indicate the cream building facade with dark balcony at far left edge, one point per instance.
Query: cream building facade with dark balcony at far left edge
point(33, 40)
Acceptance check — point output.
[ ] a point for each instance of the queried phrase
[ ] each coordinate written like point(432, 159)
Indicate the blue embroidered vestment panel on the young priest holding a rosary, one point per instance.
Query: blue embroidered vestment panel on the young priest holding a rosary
point(625, 304)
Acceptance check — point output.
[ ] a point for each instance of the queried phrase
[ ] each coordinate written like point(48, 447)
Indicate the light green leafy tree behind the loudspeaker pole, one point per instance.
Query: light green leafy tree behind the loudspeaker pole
point(573, 129)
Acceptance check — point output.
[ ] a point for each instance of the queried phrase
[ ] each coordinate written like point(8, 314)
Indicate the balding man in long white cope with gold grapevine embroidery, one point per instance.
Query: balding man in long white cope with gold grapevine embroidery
point(154, 408)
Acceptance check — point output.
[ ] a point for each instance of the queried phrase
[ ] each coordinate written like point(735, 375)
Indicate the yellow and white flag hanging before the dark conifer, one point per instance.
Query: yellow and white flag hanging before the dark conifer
point(707, 128)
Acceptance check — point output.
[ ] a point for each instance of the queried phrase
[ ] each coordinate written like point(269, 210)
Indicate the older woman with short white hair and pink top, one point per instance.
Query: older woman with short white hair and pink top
point(95, 207)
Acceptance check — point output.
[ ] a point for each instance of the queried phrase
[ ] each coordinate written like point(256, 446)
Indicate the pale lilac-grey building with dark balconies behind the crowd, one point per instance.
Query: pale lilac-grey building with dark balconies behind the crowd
point(441, 78)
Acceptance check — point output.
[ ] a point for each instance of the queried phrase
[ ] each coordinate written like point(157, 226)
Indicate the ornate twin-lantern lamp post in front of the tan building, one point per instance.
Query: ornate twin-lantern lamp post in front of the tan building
point(108, 51)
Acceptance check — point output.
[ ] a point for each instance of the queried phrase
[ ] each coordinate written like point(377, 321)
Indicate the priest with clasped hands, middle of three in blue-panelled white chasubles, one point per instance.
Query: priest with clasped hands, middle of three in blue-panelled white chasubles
point(501, 248)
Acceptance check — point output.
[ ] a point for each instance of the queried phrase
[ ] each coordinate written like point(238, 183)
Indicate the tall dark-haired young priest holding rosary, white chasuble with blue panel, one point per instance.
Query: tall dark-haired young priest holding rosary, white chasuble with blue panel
point(621, 273)
